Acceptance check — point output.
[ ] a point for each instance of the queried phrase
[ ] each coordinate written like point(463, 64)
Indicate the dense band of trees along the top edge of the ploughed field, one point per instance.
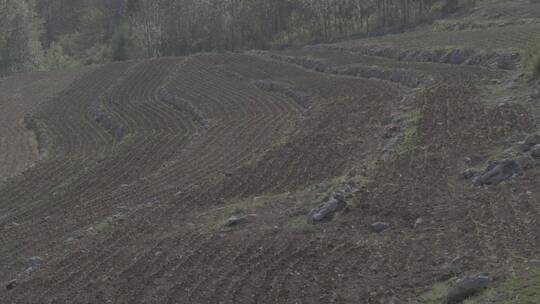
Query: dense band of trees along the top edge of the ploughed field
point(57, 34)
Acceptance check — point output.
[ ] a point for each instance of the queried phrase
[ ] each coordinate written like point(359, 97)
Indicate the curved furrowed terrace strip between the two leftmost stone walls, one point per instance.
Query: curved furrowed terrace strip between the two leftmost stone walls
point(71, 134)
